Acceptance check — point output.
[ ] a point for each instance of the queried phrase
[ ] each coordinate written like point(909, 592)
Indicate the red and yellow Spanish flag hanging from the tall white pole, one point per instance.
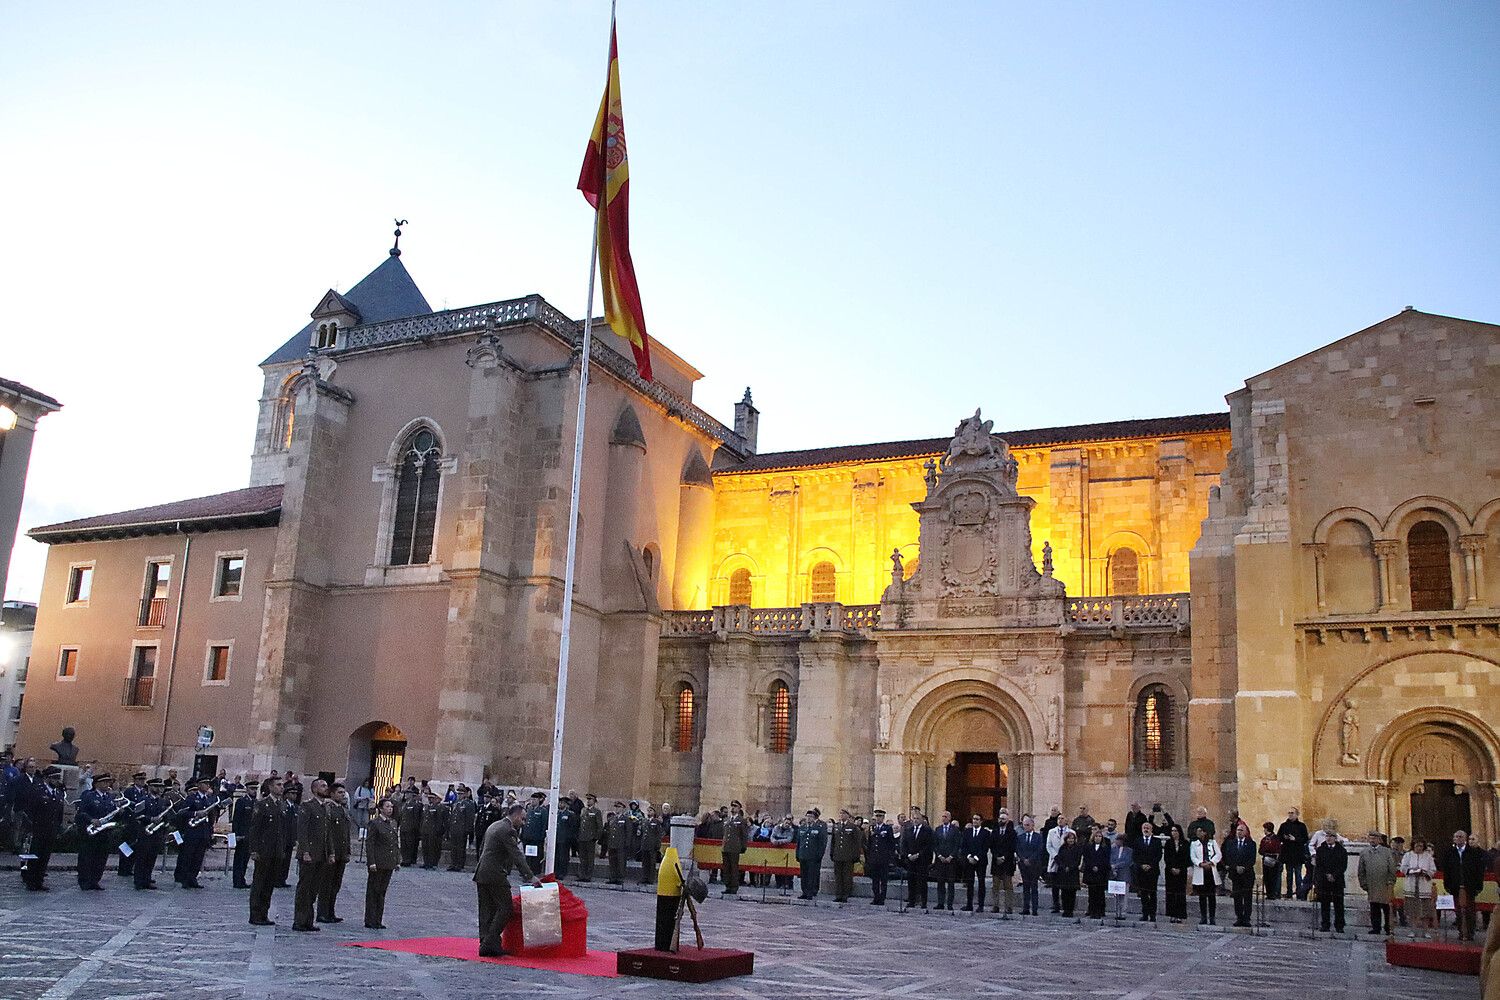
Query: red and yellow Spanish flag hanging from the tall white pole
point(607, 179)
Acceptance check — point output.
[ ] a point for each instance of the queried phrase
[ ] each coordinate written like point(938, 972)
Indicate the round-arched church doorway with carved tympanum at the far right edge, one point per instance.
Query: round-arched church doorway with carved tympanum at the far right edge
point(1441, 777)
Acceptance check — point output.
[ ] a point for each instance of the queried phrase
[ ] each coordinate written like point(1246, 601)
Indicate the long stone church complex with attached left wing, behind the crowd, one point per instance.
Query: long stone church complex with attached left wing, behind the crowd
point(1294, 603)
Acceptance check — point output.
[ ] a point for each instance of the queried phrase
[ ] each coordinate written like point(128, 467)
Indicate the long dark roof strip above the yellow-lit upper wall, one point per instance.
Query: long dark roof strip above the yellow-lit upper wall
point(1042, 437)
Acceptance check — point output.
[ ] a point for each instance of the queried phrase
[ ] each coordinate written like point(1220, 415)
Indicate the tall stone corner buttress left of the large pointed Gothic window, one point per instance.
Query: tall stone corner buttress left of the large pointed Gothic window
point(292, 629)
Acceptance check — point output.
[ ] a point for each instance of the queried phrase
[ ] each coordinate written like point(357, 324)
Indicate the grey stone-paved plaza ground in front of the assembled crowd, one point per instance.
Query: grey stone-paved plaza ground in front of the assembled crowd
point(179, 944)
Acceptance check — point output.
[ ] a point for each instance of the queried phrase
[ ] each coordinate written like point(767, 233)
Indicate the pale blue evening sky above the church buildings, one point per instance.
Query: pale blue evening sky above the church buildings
point(878, 217)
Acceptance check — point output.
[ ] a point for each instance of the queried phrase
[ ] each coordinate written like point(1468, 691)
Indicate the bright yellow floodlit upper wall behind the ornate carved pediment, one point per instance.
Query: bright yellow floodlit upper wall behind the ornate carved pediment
point(1121, 515)
